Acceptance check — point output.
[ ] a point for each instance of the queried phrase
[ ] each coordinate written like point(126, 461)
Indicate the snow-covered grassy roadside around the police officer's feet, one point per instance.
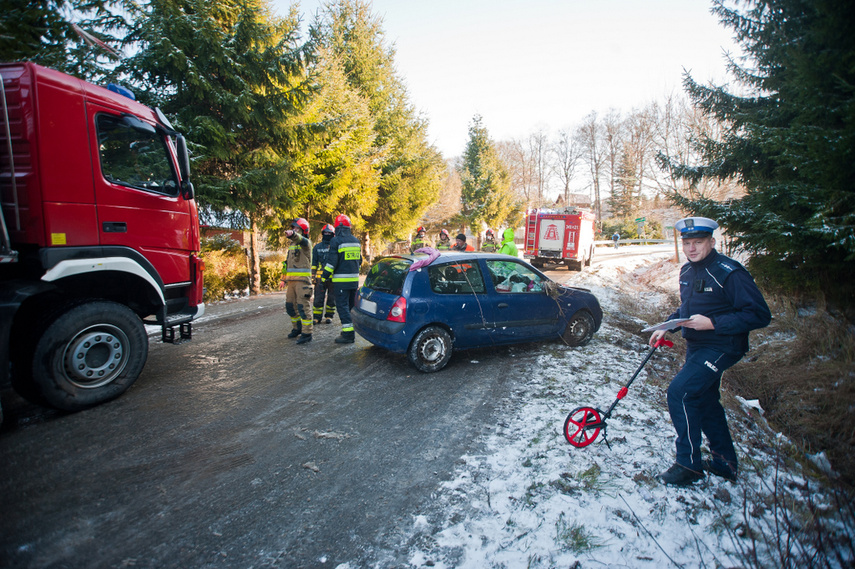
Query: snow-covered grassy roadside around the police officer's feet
point(532, 500)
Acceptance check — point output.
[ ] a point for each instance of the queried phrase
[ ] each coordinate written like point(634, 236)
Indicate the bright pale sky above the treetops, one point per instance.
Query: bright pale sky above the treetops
point(542, 64)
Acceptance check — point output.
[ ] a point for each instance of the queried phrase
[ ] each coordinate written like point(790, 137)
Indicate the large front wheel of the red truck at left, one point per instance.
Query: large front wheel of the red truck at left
point(89, 354)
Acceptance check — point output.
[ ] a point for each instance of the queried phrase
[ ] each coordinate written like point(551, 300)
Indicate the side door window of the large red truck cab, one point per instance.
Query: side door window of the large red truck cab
point(131, 157)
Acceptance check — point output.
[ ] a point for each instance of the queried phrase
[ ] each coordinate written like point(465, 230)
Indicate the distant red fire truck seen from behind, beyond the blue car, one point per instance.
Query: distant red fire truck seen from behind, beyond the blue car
point(560, 236)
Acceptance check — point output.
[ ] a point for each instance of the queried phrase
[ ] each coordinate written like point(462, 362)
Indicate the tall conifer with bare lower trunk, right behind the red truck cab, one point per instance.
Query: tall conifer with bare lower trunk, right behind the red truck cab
point(234, 76)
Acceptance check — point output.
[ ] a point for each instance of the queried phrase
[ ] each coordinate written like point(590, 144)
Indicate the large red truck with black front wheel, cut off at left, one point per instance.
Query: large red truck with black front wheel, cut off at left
point(99, 235)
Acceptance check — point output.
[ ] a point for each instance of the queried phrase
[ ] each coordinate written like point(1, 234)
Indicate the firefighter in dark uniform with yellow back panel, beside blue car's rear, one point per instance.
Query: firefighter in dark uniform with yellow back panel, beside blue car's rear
point(342, 267)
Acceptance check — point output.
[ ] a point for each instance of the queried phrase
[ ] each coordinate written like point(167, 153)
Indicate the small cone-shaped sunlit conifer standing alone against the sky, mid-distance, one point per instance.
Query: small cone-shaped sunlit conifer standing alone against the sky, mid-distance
point(485, 183)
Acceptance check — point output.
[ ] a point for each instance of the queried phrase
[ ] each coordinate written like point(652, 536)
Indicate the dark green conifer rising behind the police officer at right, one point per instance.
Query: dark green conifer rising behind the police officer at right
point(790, 141)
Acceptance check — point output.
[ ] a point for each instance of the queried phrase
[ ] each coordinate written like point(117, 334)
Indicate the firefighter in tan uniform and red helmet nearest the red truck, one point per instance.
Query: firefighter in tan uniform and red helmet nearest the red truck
point(298, 281)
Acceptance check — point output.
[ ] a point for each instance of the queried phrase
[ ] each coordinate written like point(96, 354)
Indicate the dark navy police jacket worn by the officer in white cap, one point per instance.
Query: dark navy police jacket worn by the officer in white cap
point(722, 290)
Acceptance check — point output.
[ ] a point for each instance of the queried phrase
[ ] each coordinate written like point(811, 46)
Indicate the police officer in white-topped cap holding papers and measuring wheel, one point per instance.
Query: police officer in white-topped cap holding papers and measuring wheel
point(723, 304)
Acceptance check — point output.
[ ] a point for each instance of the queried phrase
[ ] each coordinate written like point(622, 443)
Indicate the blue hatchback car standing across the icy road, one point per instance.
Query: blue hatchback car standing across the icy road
point(467, 300)
